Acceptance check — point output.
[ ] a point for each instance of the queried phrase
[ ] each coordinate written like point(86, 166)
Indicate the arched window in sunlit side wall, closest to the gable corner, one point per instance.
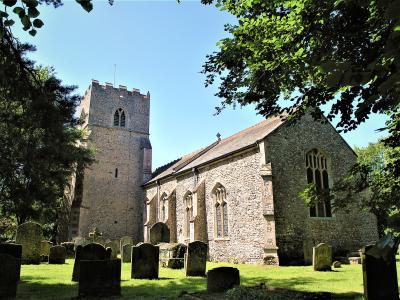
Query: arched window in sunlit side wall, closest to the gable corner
point(221, 211)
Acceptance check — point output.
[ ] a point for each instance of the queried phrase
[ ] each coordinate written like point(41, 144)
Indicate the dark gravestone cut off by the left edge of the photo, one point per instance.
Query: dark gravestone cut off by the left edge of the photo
point(9, 275)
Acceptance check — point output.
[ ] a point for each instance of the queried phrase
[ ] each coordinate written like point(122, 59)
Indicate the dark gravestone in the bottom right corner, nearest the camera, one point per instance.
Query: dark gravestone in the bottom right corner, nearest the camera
point(379, 276)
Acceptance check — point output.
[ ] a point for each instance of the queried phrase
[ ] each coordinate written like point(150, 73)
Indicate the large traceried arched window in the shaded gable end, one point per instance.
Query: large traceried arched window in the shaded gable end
point(317, 173)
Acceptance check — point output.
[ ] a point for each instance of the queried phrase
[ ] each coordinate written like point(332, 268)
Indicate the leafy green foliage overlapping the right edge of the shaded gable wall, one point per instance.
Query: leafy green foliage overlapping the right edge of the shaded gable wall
point(373, 184)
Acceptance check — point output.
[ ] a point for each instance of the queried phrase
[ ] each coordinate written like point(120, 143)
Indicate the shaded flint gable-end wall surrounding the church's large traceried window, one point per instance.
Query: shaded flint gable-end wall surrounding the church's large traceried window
point(286, 149)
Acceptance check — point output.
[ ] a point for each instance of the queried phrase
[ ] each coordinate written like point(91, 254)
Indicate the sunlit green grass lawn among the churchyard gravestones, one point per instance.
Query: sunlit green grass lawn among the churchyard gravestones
point(54, 281)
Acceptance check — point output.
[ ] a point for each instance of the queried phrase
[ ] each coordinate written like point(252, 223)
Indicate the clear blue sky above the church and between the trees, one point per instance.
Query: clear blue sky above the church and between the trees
point(158, 46)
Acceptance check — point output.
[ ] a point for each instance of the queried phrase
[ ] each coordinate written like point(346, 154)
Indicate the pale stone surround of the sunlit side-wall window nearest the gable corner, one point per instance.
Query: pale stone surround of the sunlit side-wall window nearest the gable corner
point(221, 201)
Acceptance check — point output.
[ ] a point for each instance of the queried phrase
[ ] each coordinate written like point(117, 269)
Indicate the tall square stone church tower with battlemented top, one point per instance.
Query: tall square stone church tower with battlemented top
point(108, 195)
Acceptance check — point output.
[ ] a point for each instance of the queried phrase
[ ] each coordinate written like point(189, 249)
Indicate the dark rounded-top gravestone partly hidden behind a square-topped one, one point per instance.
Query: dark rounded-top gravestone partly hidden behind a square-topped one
point(88, 252)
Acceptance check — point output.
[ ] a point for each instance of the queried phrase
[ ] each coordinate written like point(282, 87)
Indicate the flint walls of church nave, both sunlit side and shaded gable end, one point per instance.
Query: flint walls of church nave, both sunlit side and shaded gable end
point(251, 232)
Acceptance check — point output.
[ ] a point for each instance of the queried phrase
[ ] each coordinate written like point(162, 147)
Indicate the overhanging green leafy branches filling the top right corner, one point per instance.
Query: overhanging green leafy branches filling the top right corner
point(296, 54)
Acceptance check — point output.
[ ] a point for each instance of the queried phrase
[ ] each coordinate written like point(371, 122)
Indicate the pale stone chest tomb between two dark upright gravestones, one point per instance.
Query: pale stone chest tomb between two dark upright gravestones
point(172, 255)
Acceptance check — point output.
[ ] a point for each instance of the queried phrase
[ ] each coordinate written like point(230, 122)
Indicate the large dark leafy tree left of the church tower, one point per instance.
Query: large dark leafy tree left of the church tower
point(39, 137)
